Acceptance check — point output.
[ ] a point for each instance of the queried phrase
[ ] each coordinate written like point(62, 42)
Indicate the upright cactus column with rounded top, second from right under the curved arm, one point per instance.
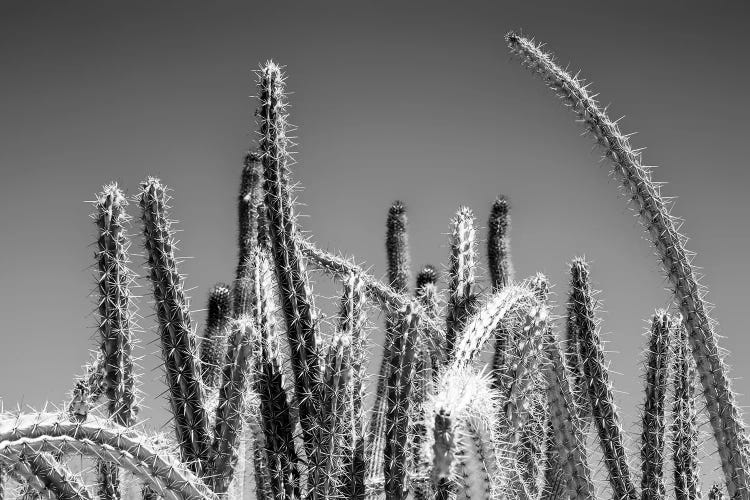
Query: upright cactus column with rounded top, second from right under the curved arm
point(653, 421)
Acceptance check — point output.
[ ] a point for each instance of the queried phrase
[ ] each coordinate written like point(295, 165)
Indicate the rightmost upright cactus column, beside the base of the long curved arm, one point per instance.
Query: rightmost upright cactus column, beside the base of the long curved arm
point(684, 422)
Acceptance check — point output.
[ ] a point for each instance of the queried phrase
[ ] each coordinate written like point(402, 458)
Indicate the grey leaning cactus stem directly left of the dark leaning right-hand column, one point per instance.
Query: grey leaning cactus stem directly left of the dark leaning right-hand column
point(569, 439)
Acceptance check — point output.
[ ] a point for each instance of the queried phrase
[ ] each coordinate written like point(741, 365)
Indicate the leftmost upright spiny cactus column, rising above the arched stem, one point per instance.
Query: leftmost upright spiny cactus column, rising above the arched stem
point(114, 302)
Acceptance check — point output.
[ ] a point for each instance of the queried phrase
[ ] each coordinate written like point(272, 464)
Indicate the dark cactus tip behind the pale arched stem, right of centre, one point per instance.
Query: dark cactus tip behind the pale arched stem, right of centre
point(498, 244)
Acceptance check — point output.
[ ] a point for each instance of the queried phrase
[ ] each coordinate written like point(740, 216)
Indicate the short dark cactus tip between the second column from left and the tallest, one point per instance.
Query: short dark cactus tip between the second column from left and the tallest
point(213, 344)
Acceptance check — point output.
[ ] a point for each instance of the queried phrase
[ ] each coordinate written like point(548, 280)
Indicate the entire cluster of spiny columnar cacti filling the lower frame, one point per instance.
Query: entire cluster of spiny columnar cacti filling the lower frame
point(270, 403)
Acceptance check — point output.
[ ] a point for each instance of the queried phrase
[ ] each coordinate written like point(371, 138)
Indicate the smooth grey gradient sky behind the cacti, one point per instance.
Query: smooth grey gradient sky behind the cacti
point(416, 101)
